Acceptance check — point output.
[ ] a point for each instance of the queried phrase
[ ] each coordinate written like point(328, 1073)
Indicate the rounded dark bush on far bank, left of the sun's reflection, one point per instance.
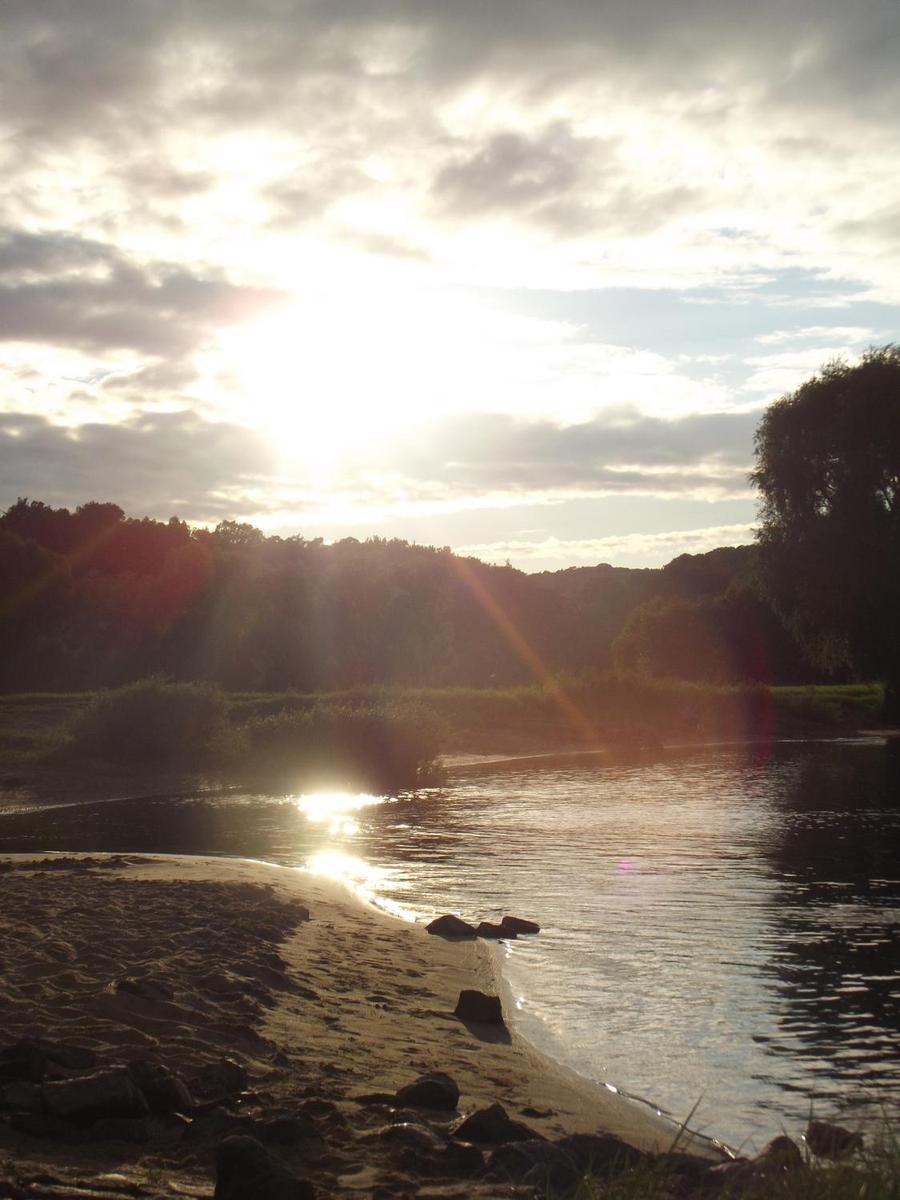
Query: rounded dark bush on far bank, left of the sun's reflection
point(149, 723)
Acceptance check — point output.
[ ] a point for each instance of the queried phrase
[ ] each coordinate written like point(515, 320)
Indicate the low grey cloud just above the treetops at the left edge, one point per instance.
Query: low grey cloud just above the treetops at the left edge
point(158, 465)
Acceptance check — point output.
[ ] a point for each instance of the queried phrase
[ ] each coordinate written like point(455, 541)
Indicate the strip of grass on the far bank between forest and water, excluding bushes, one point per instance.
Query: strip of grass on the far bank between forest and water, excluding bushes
point(599, 710)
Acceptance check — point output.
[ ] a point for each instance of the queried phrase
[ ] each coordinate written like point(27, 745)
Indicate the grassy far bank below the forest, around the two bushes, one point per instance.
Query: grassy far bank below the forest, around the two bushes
point(579, 712)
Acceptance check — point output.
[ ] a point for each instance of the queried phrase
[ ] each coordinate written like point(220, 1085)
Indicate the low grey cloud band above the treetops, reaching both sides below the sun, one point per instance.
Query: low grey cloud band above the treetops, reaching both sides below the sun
point(169, 463)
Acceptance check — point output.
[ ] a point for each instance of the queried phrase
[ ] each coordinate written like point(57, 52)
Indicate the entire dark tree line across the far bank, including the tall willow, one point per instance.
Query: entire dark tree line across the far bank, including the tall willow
point(94, 598)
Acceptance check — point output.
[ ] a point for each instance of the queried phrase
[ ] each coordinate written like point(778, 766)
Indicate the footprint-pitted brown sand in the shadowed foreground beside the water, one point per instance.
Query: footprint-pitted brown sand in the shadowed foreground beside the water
point(189, 962)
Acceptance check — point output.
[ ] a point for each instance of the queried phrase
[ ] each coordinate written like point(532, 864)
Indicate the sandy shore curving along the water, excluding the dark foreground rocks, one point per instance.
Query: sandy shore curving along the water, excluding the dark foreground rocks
point(361, 1004)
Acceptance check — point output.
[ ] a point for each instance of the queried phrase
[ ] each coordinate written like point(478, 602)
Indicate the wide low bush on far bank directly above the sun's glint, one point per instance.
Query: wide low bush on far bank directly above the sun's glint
point(382, 748)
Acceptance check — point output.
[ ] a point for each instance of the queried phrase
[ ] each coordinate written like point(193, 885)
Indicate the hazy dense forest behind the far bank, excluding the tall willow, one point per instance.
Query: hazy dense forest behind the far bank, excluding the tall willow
point(92, 598)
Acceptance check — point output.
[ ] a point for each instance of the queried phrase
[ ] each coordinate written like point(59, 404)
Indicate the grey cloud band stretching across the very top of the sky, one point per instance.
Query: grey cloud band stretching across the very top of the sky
point(83, 68)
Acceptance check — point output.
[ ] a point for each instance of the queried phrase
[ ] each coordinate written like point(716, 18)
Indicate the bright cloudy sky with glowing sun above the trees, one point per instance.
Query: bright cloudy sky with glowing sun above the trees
point(512, 277)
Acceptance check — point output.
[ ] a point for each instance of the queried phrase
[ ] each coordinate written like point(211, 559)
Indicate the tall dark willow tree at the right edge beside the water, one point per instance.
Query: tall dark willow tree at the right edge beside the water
point(829, 467)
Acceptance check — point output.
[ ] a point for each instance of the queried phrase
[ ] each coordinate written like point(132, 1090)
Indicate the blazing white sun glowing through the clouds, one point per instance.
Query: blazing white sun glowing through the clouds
point(334, 376)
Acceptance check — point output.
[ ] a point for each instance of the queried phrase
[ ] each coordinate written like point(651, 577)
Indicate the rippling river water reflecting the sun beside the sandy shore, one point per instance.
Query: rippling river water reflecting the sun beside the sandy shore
point(719, 928)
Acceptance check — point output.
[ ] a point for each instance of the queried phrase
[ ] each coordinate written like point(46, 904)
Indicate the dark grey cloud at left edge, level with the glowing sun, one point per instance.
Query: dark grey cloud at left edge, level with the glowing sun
point(71, 292)
